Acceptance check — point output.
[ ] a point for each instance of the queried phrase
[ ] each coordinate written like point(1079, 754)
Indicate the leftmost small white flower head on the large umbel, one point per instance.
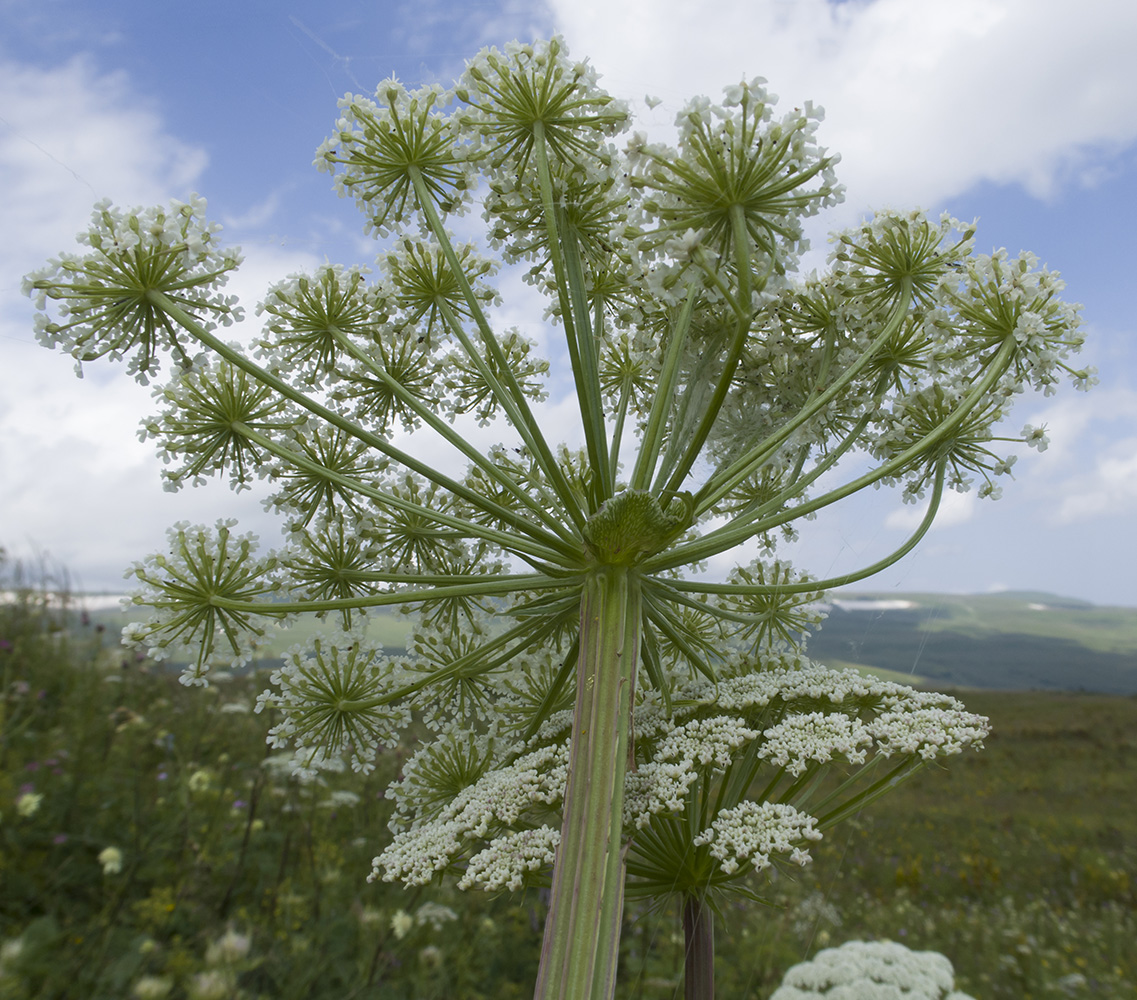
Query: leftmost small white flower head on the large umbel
point(107, 298)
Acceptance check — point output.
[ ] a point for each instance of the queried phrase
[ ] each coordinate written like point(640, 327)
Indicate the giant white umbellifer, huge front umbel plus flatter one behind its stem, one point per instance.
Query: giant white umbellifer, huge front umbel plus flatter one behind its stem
point(717, 394)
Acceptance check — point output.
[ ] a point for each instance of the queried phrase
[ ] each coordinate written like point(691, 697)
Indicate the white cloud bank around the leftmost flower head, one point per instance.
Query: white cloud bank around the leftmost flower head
point(78, 481)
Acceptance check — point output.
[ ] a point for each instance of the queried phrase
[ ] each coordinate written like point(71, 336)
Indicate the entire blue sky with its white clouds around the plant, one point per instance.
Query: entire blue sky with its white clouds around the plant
point(1020, 112)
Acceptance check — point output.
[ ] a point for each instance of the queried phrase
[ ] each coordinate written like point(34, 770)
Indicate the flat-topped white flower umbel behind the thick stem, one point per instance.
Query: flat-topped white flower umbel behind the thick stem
point(482, 806)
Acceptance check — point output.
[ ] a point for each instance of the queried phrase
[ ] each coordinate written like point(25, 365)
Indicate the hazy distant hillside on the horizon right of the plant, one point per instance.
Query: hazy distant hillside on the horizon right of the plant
point(1015, 640)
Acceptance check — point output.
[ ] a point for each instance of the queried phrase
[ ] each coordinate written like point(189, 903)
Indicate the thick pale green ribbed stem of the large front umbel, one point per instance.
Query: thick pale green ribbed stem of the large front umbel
point(582, 944)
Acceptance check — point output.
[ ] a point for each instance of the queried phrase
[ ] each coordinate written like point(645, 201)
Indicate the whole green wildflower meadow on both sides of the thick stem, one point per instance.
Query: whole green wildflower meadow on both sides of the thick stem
point(152, 846)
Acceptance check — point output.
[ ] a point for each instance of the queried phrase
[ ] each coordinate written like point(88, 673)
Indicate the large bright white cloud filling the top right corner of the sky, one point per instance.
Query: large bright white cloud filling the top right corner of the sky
point(924, 99)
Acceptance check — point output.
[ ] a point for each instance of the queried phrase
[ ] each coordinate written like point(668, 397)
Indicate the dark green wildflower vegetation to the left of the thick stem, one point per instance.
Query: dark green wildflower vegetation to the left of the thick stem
point(215, 838)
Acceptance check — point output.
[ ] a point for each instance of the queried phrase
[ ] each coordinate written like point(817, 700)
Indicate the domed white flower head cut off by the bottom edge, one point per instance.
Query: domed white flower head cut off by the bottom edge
point(872, 971)
